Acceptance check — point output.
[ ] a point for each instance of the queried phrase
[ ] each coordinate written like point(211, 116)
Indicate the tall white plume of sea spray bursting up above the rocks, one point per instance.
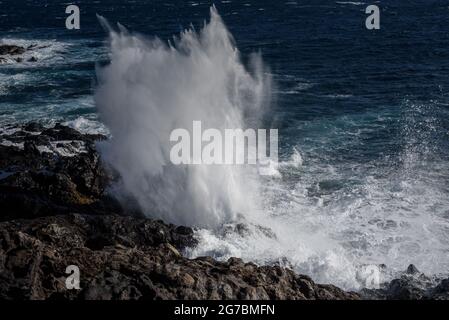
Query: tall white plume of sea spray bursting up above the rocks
point(150, 88)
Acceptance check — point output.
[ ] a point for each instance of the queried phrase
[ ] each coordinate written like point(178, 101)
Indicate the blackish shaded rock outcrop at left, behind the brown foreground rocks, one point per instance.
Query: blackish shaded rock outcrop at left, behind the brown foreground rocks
point(48, 171)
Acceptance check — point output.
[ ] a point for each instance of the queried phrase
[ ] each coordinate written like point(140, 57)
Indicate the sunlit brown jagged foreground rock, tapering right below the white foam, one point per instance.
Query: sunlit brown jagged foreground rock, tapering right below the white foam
point(132, 258)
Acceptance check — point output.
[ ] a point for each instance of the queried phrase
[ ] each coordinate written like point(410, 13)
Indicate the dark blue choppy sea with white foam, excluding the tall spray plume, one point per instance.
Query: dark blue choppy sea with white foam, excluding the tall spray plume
point(363, 119)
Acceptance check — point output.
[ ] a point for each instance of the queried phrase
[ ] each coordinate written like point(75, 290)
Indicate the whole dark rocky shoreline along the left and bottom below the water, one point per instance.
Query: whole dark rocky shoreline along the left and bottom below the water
point(56, 212)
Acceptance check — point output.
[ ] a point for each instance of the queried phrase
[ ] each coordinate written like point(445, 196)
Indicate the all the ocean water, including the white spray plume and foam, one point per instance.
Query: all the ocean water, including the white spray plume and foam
point(362, 118)
